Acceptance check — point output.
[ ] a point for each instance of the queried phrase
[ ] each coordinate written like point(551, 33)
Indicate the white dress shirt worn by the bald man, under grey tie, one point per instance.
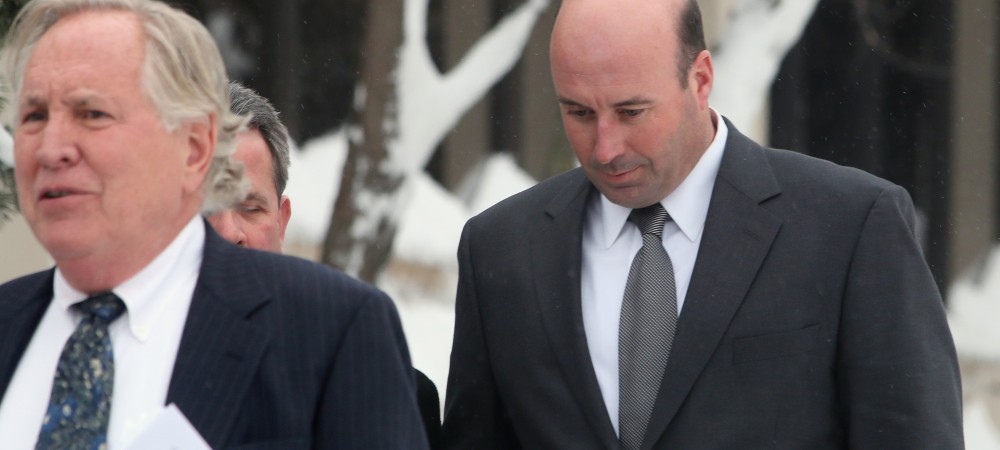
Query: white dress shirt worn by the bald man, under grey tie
point(610, 242)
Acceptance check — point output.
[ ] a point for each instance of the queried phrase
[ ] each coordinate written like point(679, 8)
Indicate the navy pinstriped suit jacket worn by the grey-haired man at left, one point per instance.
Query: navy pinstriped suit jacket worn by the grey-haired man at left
point(277, 352)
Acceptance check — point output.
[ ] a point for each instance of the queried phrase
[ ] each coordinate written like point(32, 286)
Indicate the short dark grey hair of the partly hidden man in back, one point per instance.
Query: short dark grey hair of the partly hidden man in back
point(264, 118)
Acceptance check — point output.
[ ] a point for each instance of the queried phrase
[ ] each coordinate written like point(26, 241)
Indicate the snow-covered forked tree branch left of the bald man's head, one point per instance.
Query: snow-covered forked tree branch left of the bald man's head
point(431, 104)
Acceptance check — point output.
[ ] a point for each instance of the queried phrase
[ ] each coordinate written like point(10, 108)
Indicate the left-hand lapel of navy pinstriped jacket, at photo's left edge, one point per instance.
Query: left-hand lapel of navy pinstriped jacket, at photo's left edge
point(21, 309)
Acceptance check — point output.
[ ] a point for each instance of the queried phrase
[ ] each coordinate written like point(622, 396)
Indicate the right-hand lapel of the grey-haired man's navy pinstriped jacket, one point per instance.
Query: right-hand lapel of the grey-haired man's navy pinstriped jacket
point(220, 348)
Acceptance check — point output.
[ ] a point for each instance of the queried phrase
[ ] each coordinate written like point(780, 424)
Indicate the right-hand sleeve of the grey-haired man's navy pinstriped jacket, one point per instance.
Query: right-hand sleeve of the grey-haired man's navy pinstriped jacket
point(372, 374)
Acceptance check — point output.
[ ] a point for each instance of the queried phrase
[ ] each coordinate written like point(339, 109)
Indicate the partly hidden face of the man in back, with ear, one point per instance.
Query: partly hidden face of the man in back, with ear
point(260, 220)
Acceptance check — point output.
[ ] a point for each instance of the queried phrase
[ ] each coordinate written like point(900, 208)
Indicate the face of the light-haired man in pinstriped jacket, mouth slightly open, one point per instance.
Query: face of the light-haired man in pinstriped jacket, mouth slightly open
point(98, 175)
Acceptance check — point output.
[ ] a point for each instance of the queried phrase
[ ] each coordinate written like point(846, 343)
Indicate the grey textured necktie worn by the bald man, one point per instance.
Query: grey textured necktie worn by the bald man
point(646, 328)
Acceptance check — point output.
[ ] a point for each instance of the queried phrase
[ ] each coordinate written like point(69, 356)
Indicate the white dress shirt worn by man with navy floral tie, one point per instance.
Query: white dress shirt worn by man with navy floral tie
point(145, 341)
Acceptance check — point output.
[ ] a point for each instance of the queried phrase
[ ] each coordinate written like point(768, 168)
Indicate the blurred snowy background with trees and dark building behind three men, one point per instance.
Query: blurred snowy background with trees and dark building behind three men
point(412, 115)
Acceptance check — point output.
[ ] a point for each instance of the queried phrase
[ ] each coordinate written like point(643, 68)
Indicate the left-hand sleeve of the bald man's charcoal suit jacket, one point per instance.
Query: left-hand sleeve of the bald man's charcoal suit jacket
point(474, 416)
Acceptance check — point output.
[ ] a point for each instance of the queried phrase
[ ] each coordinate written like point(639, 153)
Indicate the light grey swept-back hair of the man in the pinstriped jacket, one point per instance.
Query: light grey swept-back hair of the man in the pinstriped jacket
point(183, 77)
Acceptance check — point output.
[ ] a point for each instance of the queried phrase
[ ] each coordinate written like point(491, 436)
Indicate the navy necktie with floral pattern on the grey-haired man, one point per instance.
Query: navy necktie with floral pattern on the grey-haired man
point(77, 416)
